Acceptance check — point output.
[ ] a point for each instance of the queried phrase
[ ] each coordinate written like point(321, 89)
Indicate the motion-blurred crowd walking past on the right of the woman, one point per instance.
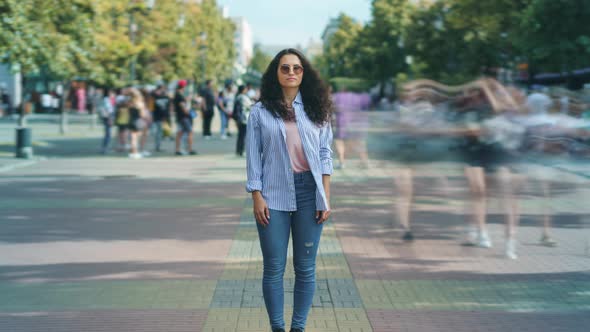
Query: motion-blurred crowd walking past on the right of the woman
point(489, 128)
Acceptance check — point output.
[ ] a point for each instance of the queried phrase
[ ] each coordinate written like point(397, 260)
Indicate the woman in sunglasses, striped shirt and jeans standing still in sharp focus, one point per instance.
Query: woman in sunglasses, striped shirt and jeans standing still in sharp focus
point(289, 164)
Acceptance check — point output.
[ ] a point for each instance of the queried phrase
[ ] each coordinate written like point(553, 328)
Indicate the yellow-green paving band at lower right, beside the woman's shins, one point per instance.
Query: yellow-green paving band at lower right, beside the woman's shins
point(549, 296)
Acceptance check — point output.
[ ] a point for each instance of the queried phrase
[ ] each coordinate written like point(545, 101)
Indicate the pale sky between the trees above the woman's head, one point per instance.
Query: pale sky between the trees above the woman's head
point(294, 22)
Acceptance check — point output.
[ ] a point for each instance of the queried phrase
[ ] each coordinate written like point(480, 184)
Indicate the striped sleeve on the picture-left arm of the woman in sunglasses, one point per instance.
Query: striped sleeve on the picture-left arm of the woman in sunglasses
point(254, 153)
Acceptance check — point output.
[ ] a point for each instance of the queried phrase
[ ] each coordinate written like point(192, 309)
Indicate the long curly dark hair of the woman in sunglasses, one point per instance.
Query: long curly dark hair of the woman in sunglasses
point(314, 92)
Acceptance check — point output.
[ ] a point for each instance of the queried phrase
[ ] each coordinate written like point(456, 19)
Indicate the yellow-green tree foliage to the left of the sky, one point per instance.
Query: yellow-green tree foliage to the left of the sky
point(95, 39)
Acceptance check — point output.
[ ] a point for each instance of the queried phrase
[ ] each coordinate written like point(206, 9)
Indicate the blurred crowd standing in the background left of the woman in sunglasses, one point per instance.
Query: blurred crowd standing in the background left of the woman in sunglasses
point(164, 113)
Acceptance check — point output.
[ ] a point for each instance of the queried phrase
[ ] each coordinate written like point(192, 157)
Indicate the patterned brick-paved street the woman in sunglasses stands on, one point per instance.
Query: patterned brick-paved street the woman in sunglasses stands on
point(106, 243)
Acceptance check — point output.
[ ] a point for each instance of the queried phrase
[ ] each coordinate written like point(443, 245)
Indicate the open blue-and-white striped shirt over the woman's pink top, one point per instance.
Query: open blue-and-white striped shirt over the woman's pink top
point(268, 162)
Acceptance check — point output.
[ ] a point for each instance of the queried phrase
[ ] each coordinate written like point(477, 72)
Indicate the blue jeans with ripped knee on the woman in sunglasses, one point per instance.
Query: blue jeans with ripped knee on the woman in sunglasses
point(274, 241)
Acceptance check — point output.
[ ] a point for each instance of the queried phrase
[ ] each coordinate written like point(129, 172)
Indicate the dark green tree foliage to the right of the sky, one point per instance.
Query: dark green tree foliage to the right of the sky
point(458, 40)
